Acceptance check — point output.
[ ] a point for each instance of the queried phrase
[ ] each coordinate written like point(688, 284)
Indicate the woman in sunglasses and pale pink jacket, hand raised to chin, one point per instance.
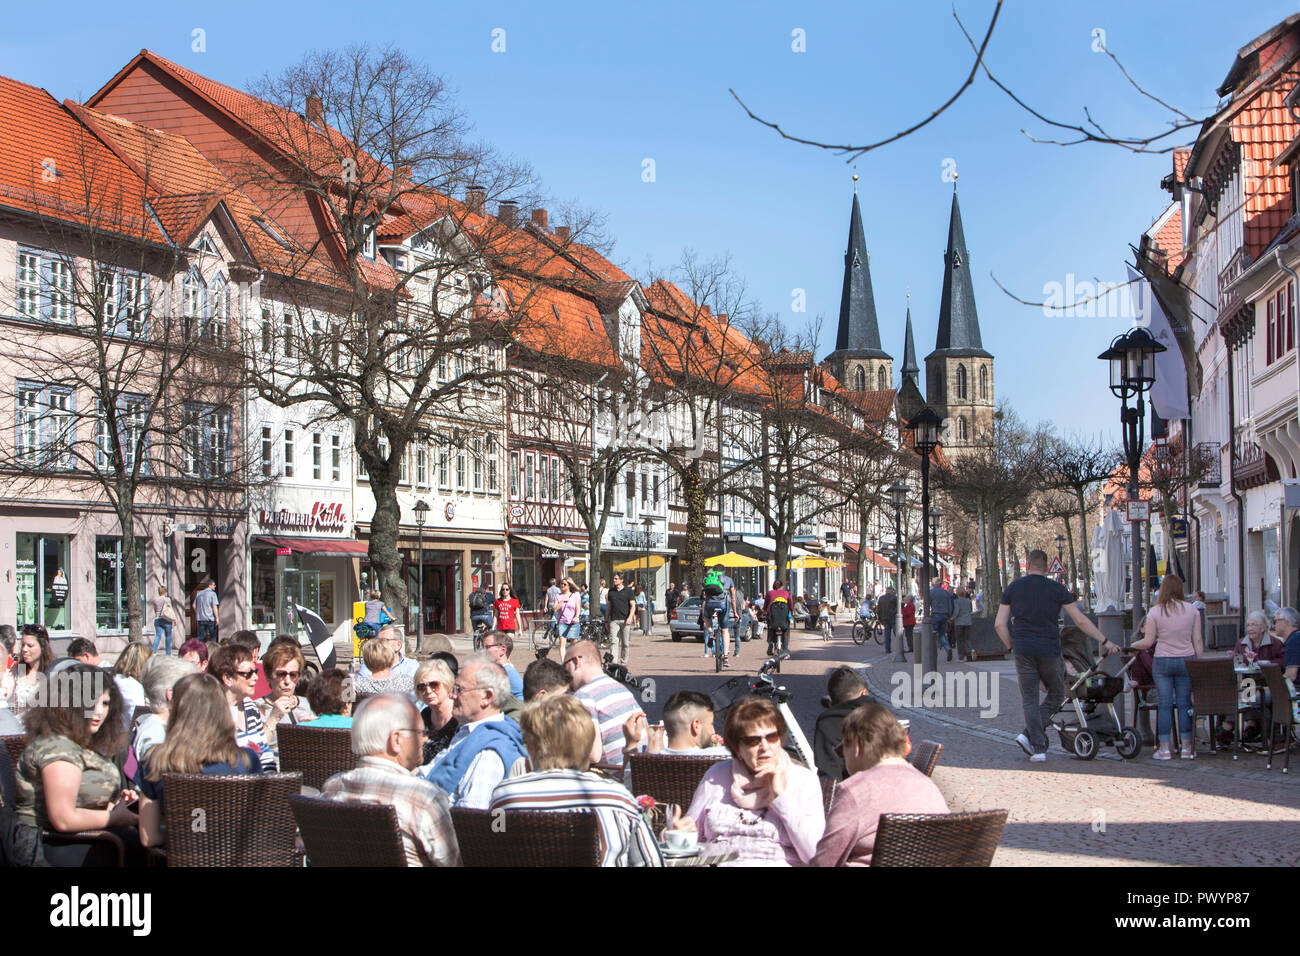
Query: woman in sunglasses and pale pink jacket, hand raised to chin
point(760, 804)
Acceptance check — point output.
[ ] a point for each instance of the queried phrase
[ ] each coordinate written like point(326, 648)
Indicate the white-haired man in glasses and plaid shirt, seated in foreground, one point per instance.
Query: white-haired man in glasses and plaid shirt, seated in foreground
point(388, 737)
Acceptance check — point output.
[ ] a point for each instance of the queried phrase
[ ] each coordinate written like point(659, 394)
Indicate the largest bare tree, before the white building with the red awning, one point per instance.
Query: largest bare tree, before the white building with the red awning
point(401, 300)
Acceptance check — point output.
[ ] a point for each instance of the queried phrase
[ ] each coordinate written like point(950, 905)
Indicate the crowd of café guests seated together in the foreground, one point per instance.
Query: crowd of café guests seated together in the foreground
point(430, 736)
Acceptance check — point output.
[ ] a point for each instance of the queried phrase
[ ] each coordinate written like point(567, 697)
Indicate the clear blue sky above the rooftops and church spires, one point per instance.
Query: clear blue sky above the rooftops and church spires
point(586, 92)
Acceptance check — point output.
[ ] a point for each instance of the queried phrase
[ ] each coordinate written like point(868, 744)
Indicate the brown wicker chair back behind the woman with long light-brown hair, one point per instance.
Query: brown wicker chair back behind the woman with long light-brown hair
point(231, 821)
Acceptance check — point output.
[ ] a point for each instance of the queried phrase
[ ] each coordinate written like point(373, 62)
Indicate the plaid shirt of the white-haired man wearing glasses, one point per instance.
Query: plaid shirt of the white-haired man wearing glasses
point(424, 816)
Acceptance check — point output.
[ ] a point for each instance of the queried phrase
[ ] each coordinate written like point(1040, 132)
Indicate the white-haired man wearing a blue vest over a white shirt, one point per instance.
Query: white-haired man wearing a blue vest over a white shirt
point(487, 743)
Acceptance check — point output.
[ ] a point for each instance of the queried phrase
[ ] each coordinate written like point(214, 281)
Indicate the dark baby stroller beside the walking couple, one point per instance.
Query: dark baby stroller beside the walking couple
point(1089, 719)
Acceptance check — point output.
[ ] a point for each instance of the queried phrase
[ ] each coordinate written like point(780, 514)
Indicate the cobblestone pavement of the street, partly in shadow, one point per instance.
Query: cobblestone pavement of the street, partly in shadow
point(1212, 811)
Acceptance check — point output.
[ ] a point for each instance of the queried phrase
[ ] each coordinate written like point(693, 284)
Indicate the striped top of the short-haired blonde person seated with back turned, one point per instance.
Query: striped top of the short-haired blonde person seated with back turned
point(626, 838)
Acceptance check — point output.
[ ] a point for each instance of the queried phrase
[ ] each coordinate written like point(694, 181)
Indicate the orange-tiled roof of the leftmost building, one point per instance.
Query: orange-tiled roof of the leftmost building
point(53, 167)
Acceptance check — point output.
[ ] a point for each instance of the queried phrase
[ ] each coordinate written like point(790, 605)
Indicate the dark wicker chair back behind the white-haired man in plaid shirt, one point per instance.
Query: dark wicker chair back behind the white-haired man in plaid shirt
point(346, 834)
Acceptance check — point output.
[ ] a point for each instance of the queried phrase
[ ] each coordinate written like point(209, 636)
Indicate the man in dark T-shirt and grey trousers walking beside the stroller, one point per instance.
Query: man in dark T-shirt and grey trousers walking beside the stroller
point(1028, 624)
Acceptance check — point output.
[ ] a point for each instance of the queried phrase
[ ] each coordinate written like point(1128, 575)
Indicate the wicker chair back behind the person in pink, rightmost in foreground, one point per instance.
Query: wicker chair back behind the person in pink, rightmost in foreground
point(938, 840)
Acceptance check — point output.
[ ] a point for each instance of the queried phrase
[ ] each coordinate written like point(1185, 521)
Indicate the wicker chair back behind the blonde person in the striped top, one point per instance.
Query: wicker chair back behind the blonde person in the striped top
point(527, 838)
